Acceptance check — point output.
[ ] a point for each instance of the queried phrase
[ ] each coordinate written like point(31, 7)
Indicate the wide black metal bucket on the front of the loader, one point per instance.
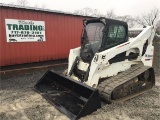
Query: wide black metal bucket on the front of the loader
point(73, 98)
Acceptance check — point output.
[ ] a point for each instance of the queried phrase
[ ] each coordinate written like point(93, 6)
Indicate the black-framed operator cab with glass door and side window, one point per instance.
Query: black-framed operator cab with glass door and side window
point(101, 34)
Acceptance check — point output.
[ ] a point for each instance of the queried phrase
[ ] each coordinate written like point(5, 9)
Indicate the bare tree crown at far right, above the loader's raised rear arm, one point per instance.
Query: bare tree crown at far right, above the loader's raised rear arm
point(149, 18)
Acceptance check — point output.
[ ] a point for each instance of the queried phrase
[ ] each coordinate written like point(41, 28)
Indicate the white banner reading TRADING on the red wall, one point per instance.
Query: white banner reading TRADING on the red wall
point(25, 30)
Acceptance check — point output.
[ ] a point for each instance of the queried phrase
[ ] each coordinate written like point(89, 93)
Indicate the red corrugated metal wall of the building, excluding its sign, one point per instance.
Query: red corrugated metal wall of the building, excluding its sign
point(62, 33)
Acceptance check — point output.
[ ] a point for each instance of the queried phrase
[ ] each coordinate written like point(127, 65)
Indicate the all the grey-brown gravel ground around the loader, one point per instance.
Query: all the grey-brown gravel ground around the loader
point(20, 102)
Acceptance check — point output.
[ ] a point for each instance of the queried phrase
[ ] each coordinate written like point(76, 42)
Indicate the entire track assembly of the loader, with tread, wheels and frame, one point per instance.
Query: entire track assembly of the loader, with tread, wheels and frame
point(127, 84)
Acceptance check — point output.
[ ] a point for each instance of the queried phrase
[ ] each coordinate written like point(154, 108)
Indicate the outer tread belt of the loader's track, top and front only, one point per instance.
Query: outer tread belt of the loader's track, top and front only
point(107, 86)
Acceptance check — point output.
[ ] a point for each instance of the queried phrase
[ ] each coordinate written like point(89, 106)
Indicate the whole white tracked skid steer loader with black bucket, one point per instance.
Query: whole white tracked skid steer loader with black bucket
point(112, 64)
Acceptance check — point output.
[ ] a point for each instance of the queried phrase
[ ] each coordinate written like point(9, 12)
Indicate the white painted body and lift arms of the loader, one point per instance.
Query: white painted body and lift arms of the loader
point(100, 66)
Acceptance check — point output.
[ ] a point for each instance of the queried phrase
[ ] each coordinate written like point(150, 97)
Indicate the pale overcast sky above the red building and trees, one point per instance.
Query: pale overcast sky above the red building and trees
point(121, 7)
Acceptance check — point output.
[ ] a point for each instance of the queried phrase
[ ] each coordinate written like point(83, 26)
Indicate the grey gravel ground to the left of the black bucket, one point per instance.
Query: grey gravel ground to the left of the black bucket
point(20, 102)
